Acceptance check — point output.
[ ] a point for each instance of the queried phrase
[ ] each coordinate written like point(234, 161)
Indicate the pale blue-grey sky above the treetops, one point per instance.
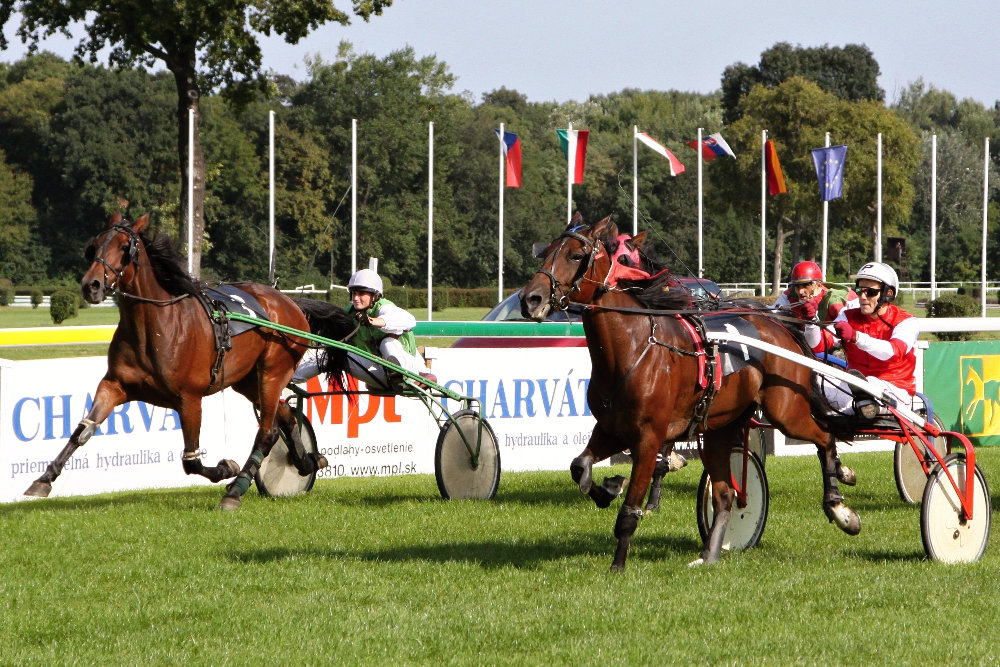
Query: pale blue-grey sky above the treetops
point(562, 50)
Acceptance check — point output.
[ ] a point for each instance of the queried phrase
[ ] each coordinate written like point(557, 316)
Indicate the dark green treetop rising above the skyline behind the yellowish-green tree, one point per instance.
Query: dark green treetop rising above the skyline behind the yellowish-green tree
point(849, 73)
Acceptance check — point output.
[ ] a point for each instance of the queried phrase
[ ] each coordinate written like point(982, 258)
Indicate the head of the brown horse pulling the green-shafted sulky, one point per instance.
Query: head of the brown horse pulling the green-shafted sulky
point(113, 256)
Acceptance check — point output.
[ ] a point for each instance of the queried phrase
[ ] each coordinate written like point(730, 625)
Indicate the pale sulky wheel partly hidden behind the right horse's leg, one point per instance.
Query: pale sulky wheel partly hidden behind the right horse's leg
point(746, 525)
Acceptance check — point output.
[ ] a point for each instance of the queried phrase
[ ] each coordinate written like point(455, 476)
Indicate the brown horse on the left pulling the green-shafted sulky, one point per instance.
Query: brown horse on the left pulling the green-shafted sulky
point(167, 352)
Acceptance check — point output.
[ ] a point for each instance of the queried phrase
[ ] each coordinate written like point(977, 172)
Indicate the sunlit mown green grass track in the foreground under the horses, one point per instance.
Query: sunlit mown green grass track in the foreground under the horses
point(381, 570)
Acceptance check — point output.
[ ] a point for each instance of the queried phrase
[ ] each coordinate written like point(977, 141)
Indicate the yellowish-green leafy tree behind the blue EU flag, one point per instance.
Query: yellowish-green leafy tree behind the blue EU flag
point(797, 114)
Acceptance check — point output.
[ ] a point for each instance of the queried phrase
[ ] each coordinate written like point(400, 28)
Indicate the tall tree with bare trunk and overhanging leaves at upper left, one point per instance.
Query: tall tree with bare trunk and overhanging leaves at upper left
point(222, 36)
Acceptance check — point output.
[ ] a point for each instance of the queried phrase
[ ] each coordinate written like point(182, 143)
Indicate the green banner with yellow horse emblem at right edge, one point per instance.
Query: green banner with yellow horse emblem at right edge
point(962, 380)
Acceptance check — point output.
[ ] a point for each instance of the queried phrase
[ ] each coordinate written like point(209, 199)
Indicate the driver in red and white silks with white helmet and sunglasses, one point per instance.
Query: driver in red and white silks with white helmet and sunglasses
point(878, 337)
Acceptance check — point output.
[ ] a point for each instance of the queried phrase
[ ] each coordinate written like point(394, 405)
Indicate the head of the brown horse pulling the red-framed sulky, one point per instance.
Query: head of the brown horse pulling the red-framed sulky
point(573, 268)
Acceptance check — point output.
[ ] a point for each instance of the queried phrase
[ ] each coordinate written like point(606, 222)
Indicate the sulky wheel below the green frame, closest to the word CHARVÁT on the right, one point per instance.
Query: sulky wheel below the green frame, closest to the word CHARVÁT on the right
point(467, 459)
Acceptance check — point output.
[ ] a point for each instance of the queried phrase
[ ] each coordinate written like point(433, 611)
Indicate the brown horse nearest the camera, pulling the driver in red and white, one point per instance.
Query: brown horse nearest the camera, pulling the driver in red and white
point(643, 390)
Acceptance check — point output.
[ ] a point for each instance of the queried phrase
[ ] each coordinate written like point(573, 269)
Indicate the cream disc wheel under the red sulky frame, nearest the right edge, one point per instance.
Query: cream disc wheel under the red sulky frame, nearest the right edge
point(947, 537)
